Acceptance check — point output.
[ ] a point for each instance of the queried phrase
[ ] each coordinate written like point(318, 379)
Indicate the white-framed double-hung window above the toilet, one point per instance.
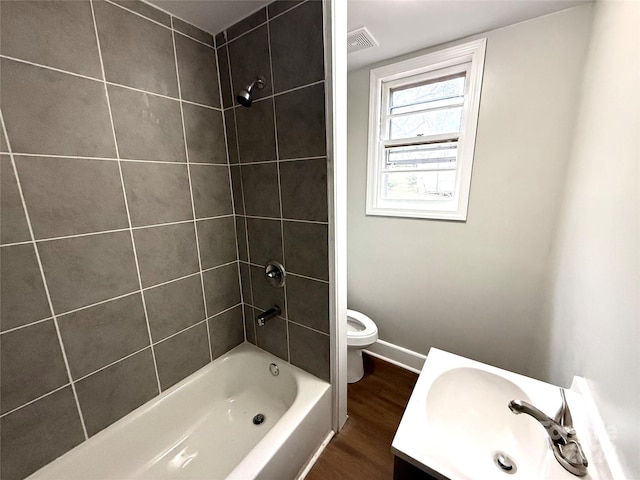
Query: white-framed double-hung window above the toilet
point(422, 126)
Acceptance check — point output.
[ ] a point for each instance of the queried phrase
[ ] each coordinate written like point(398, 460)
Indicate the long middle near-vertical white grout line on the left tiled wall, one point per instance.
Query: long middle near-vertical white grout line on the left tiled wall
point(126, 202)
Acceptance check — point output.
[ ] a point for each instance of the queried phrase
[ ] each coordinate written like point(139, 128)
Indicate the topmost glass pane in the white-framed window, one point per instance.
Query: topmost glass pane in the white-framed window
point(427, 92)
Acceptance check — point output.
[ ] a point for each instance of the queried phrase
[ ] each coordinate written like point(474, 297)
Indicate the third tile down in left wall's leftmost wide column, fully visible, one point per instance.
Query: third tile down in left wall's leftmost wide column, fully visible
point(68, 196)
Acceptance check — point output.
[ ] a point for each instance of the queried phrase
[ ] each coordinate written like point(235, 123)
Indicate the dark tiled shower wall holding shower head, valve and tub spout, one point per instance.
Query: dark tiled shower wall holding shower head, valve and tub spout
point(278, 152)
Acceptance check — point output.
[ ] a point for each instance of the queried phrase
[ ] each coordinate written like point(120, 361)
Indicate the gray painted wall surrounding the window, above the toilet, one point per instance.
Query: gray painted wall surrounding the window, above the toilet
point(476, 288)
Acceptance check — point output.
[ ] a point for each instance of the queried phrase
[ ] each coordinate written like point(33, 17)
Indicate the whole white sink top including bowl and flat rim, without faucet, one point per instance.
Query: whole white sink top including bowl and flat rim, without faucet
point(458, 422)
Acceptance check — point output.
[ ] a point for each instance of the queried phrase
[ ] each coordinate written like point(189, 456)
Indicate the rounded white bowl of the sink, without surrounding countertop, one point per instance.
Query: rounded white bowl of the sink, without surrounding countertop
point(466, 411)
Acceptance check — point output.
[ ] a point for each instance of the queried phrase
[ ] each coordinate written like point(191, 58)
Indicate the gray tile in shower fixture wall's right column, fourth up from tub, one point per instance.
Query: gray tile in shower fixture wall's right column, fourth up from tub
point(304, 189)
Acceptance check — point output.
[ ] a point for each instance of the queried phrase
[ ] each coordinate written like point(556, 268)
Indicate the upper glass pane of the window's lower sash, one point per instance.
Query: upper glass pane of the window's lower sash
point(432, 156)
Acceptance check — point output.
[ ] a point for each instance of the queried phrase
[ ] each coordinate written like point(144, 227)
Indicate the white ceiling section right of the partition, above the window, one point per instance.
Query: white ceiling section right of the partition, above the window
point(403, 26)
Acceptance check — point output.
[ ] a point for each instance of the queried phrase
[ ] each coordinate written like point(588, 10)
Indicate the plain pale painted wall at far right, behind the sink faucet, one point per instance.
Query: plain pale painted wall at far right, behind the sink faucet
point(594, 312)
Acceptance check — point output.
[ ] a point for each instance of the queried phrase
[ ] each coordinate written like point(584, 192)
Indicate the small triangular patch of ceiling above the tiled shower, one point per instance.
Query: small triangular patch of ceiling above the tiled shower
point(211, 15)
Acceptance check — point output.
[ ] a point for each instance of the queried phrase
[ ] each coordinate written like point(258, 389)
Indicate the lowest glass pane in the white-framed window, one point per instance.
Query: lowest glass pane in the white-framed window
point(433, 185)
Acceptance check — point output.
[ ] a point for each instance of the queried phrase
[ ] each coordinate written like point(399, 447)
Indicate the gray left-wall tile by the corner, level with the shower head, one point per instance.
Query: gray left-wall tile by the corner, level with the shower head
point(198, 72)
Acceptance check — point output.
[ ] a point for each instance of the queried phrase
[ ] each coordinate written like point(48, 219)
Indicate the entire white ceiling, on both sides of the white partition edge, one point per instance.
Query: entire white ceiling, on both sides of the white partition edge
point(399, 26)
